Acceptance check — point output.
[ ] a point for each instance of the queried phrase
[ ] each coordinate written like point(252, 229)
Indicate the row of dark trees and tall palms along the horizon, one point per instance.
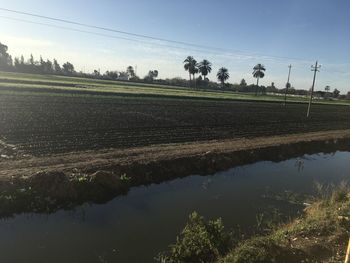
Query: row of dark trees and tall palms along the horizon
point(202, 68)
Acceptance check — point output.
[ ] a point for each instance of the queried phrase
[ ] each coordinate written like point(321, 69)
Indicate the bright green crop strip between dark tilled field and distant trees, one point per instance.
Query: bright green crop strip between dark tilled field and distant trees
point(20, 82)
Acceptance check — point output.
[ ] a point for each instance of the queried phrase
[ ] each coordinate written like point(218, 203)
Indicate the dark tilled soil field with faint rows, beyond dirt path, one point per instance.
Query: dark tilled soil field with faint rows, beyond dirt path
point(41, 125)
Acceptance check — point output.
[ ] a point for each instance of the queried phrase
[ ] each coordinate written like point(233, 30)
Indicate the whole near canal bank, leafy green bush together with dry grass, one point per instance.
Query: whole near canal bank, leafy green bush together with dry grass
point(320, 235)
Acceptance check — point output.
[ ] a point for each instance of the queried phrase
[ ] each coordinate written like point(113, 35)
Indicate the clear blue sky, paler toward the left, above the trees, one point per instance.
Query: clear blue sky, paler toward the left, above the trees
point(229, 33)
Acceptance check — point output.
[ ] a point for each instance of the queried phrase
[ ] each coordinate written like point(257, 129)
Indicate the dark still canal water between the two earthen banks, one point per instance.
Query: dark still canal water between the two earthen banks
point(135, 227)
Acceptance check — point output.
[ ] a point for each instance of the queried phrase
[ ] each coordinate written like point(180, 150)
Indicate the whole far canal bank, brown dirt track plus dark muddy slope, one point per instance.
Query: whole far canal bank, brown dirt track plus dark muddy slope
point(62, 181)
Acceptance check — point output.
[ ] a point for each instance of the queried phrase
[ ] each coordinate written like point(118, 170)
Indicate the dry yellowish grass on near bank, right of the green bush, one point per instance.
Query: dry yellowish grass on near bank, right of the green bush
point(319, 236)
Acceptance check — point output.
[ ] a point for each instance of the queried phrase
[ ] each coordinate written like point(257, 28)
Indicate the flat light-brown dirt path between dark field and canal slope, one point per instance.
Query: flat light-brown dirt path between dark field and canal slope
point(91, 160)
